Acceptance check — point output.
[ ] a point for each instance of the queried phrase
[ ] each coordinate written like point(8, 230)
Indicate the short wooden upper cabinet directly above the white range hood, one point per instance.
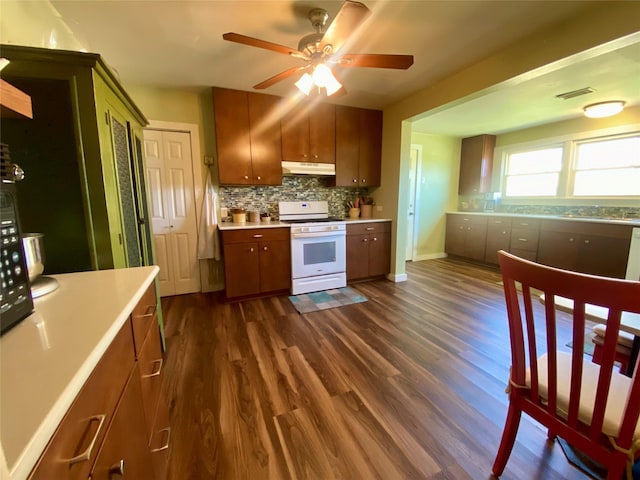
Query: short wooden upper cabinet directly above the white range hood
point(308, 133)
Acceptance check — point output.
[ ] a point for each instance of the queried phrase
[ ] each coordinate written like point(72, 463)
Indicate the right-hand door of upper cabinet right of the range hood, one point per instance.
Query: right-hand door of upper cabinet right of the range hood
point(370, 147)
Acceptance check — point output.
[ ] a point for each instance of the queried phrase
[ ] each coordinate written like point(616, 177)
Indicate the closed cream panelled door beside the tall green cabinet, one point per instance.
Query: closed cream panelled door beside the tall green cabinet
point(172, 209)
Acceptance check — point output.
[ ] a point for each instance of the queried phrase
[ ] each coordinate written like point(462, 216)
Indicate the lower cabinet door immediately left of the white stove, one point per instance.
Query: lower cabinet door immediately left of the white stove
point(275, 265)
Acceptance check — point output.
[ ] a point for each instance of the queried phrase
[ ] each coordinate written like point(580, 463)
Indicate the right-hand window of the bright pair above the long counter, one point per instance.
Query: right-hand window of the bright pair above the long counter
point(607, 168)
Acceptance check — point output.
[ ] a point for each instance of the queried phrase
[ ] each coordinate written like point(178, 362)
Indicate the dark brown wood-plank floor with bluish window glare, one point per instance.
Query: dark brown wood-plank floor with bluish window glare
point(409, 384)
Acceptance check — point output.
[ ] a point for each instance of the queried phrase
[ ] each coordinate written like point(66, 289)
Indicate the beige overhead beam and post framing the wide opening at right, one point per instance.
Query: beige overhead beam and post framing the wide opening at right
point(600, 29)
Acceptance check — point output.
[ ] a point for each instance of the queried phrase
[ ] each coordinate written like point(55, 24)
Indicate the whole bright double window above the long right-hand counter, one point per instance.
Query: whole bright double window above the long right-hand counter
point(574, 168)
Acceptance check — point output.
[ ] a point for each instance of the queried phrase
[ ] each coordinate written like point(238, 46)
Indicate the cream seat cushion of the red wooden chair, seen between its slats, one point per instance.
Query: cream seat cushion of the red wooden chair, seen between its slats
point(620, 385)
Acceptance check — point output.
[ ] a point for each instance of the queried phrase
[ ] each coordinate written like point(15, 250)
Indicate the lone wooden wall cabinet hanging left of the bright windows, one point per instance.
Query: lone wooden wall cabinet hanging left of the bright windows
point(476, 164)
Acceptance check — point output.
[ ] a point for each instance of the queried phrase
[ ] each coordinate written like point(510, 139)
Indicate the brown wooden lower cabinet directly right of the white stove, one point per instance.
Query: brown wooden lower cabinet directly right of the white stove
point(368, 249)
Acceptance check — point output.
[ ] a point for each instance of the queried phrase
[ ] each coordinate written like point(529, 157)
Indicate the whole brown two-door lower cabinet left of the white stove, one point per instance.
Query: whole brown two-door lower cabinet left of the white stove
point(256, 261)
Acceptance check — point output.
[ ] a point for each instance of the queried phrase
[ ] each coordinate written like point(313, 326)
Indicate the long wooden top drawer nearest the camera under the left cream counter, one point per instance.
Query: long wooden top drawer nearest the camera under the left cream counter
point(84, 426)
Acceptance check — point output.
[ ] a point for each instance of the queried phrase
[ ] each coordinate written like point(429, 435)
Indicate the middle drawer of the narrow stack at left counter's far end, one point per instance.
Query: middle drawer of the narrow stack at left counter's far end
point(151, 364)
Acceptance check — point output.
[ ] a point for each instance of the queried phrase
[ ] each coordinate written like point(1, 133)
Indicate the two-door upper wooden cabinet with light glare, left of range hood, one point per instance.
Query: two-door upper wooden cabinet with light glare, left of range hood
point(247, 138)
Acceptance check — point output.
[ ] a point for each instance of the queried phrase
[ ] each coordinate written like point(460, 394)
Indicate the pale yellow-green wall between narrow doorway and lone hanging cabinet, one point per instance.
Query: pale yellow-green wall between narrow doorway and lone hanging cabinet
point(438, 191)
